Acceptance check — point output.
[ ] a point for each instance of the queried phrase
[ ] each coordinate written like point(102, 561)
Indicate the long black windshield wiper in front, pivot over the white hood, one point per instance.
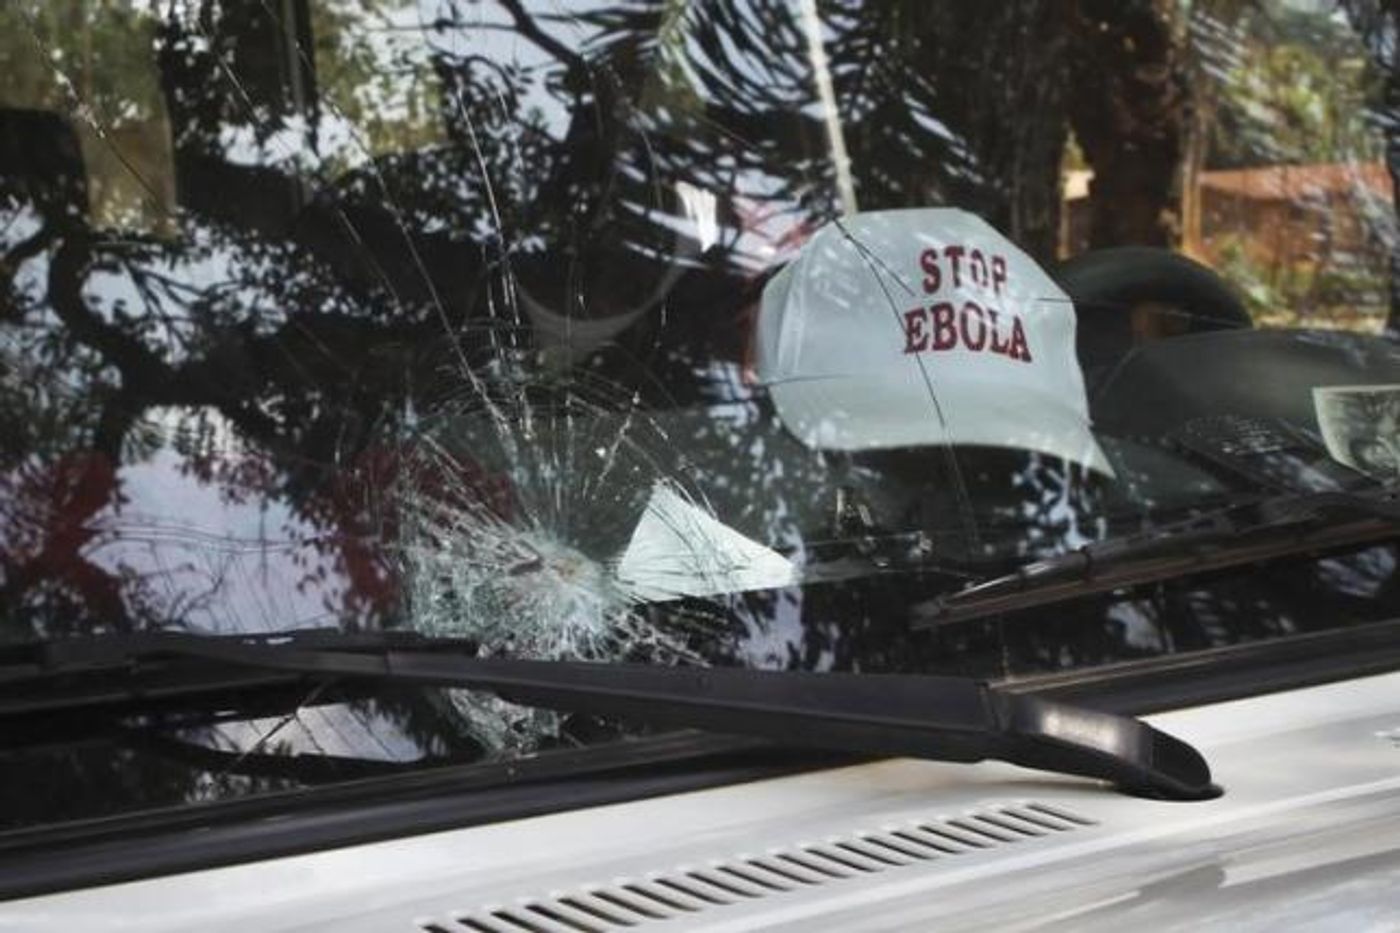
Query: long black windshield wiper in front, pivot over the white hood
point(934, 718)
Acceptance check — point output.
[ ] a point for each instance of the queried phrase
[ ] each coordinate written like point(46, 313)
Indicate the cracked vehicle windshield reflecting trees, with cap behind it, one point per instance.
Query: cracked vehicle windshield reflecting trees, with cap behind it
point(677, 333)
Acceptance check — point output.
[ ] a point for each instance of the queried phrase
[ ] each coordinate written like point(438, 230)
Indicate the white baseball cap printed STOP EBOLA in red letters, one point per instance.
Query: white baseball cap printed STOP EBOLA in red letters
point(909, 329)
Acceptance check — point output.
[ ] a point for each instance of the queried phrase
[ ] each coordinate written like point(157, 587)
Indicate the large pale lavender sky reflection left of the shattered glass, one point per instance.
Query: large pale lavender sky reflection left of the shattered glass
point(211, 562)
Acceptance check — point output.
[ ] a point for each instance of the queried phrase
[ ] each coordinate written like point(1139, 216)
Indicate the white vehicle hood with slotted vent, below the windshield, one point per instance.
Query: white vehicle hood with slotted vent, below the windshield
point(1307, 837)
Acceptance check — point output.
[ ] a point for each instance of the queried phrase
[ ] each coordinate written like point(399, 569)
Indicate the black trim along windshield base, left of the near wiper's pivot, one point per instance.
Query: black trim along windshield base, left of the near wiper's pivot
point(194, 838)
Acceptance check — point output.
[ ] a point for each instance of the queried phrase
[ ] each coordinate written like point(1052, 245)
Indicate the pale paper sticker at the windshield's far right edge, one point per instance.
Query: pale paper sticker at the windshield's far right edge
point(1361, 427)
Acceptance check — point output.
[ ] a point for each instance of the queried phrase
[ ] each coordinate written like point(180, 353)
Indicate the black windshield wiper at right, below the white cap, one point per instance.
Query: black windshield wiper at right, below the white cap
point(1277, 527)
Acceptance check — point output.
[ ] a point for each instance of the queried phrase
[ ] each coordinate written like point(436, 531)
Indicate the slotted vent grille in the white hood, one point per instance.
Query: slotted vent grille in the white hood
point(689, 890)
